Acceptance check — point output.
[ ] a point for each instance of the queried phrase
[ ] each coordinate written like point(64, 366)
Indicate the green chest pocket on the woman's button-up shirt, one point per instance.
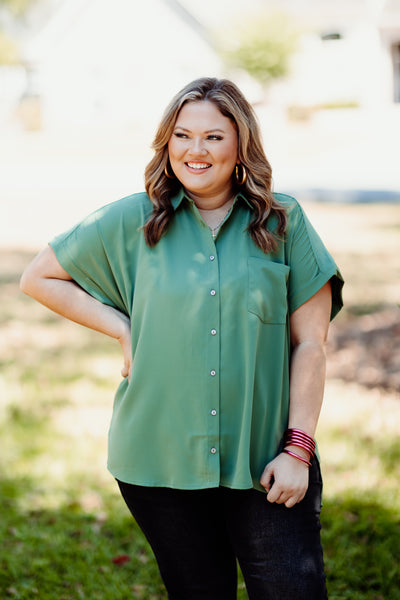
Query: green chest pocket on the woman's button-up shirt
point(267, 290)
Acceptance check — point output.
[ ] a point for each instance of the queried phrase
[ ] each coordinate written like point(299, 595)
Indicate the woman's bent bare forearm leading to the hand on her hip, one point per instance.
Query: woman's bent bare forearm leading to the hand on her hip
point(68, 299)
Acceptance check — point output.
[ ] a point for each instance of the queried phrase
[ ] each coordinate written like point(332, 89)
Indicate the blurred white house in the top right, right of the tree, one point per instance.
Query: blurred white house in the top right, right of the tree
point(349, 52)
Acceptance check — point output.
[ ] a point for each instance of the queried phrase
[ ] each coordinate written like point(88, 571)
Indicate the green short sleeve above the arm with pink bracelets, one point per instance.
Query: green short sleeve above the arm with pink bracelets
point(311, 265)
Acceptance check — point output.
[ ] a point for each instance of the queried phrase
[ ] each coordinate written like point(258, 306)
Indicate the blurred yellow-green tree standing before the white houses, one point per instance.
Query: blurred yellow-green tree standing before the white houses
point(261, 45)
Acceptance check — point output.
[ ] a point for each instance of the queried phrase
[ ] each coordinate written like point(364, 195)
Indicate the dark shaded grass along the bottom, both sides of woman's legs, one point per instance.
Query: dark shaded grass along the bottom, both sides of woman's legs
point(70, 553)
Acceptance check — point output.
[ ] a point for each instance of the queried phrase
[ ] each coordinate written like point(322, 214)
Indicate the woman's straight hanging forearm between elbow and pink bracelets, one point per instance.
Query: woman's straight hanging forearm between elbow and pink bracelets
point(307, 379)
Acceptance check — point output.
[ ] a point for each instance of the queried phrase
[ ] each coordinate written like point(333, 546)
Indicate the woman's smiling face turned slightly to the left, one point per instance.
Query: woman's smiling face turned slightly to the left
point(203, 151)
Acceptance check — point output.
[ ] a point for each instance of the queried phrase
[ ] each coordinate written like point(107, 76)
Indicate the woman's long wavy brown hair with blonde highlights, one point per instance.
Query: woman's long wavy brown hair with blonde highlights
point(258, 186)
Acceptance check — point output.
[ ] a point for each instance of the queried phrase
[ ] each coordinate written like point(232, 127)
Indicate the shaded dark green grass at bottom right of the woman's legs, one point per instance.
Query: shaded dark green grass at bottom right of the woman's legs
point(361, 539)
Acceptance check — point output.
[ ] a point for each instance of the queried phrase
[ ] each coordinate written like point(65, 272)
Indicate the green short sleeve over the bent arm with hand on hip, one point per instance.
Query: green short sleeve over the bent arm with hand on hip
point(82, 252)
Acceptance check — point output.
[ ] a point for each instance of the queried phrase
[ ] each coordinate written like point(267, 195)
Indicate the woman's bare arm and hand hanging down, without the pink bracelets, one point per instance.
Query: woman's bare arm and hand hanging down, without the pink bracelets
point(308, 329)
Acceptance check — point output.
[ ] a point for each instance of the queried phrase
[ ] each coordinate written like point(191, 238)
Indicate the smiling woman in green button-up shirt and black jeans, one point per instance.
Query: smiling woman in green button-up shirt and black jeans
point(220, 295)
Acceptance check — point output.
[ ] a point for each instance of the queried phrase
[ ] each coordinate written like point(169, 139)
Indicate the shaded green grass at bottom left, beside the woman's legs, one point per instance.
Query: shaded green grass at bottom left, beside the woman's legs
point(68, 553)
